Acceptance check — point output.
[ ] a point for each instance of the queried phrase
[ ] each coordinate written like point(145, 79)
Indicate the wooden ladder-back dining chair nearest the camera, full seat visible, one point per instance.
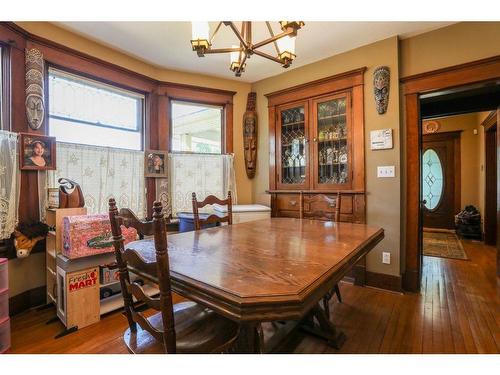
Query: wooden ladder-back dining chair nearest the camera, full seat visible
point(185, 327)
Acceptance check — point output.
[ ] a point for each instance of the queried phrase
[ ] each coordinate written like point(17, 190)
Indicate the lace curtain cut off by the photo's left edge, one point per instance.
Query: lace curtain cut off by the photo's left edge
point(9, 183)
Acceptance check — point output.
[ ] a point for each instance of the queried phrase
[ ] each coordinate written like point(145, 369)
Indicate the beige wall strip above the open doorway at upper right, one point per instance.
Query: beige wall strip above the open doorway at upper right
point(452, 45)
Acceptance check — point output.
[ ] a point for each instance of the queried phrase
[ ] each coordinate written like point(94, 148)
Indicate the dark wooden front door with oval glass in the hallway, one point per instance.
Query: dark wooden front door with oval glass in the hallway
point(440, 179)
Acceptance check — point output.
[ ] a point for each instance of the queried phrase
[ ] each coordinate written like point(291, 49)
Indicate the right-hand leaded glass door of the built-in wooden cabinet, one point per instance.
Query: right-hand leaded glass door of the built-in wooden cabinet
point(332, 151)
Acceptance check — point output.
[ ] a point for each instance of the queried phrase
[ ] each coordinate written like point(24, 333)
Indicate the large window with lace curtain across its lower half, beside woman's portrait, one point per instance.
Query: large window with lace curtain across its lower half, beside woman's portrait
point(99, 132)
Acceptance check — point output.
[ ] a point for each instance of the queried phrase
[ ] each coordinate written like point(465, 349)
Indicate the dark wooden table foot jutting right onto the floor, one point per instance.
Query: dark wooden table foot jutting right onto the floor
point(324, 329)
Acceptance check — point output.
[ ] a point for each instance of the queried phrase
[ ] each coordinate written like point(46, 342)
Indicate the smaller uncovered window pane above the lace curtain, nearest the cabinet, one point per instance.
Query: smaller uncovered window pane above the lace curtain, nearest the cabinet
point(196, 128)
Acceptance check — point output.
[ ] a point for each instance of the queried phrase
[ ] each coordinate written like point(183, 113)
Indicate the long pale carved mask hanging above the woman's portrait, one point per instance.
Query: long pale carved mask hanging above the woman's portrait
point(35, 101)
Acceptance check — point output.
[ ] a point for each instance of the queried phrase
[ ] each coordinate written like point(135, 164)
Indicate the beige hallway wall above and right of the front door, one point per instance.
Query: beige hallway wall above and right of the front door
point(469, 156)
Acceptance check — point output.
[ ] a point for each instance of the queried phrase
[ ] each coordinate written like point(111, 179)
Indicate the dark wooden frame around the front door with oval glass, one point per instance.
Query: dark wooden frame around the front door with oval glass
point(457, 175)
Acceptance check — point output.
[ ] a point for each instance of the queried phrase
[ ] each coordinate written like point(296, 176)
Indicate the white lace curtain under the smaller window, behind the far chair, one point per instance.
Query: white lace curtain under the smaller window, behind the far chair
point(204, 174)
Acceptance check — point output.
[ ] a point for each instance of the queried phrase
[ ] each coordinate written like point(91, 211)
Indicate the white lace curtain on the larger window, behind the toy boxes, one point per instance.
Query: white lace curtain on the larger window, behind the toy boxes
point(102, 173)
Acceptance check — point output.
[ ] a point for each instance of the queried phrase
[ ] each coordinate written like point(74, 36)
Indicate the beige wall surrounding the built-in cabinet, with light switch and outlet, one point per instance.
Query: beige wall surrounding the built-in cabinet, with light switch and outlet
point(383, 204)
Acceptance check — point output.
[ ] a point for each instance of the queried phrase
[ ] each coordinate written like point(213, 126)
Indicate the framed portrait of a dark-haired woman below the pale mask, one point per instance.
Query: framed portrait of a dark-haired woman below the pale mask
point(37, 152)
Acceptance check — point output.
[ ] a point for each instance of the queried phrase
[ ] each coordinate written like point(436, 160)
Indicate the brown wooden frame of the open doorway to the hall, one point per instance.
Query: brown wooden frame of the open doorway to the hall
point(413, 87)
